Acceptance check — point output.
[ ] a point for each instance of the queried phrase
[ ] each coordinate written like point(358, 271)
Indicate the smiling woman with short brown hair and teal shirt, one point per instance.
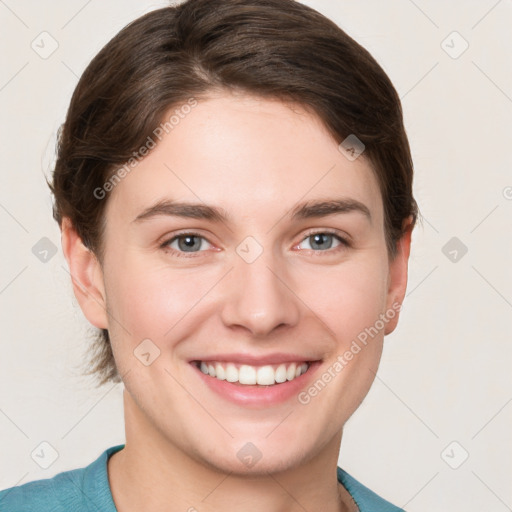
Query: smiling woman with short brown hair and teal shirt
point(234, 190)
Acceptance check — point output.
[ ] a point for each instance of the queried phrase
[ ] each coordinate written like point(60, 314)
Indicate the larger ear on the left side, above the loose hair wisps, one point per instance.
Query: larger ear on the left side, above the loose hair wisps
point(86, 276)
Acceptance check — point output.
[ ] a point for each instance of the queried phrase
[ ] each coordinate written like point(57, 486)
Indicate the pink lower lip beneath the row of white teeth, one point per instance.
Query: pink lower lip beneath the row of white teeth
point(258, 396)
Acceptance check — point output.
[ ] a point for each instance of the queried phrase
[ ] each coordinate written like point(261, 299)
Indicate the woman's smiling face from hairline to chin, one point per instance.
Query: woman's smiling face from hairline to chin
point(248, 247)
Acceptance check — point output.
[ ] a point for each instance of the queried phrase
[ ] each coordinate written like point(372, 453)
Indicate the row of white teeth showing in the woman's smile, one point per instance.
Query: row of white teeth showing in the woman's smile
point(248, 375)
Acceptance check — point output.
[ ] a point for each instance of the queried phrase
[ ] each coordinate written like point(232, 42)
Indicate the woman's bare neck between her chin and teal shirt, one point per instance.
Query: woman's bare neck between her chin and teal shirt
point(152, 474)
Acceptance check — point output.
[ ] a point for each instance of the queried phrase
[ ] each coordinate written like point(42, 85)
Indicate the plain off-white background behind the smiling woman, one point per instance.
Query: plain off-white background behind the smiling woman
point(445, 375)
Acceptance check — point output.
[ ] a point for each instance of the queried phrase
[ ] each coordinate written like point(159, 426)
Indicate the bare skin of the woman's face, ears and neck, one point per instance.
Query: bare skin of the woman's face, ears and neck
point(257, 159)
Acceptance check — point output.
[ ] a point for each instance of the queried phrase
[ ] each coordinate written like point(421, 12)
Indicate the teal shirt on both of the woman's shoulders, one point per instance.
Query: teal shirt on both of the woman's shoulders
point(87, 490)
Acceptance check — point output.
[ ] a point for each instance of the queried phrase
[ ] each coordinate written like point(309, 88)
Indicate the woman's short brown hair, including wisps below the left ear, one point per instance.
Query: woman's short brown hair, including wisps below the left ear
point(278, 49)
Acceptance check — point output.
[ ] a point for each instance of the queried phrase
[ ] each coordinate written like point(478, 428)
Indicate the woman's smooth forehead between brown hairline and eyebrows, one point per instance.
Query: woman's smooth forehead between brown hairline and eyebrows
point(252, 157)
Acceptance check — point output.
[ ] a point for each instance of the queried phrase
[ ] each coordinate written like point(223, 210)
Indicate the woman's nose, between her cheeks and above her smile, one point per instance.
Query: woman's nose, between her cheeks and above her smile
point(260, 297)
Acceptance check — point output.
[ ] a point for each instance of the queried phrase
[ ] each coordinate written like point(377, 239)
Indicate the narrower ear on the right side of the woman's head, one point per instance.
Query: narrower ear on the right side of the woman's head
point(397, 279)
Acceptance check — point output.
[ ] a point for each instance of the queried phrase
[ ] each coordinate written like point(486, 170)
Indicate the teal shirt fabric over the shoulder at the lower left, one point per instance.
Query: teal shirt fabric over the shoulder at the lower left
point(79, 490)
